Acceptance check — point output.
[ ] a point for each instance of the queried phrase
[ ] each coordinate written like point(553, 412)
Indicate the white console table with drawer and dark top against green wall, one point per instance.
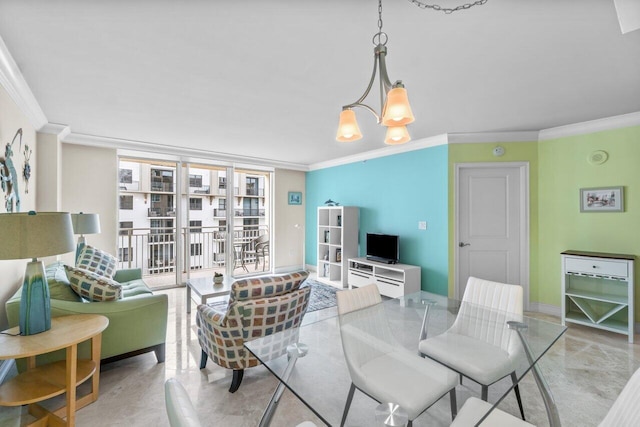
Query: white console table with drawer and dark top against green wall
point(597, 291)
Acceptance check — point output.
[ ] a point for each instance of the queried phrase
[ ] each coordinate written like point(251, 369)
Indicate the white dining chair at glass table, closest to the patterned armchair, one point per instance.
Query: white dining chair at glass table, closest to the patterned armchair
point(380, 367)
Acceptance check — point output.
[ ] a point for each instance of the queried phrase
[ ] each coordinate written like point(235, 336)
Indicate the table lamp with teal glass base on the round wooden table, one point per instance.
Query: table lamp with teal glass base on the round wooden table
point(33, 235)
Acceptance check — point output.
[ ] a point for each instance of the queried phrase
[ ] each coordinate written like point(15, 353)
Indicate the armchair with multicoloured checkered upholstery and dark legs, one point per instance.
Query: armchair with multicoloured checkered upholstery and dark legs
point(258, 307)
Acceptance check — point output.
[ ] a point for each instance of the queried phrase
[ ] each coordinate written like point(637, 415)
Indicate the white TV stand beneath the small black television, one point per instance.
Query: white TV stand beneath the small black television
point(393, 280)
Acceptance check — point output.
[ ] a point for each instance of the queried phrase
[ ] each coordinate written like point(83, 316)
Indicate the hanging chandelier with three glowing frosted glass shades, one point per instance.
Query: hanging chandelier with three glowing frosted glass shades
point(394, 102)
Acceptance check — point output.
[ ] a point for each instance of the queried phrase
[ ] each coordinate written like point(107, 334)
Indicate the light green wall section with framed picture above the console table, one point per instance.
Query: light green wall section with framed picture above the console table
point(564, 169)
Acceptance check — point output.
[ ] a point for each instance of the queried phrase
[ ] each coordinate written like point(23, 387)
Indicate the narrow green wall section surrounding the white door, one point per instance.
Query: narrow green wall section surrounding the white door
point(483, 152)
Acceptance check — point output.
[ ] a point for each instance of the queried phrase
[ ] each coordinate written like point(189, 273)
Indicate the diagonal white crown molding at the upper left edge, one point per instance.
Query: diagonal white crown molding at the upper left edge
point(13, 81)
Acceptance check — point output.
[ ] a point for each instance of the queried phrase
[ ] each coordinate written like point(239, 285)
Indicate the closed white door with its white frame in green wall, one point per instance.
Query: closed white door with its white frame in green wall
point(492, 224)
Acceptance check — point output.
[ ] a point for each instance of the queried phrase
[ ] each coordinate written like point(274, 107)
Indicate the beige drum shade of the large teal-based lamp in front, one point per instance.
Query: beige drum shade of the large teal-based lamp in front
point(34, 235)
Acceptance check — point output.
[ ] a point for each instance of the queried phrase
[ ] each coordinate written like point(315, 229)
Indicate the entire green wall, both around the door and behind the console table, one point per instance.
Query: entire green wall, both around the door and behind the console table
point(558, 168)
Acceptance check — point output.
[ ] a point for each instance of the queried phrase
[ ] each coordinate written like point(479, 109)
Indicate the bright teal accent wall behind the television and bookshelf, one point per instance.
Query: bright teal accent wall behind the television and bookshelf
point(393, 194)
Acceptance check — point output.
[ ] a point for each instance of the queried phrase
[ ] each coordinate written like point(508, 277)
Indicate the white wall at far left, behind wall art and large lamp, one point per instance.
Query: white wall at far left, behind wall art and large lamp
point(12, 119)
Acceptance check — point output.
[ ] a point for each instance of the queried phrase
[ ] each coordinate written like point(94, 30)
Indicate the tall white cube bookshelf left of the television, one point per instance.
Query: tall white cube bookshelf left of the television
point(337, 242)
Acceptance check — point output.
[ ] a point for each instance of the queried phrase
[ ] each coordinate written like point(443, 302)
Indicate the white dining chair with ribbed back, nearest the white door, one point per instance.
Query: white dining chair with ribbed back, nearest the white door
point(479, 345)
